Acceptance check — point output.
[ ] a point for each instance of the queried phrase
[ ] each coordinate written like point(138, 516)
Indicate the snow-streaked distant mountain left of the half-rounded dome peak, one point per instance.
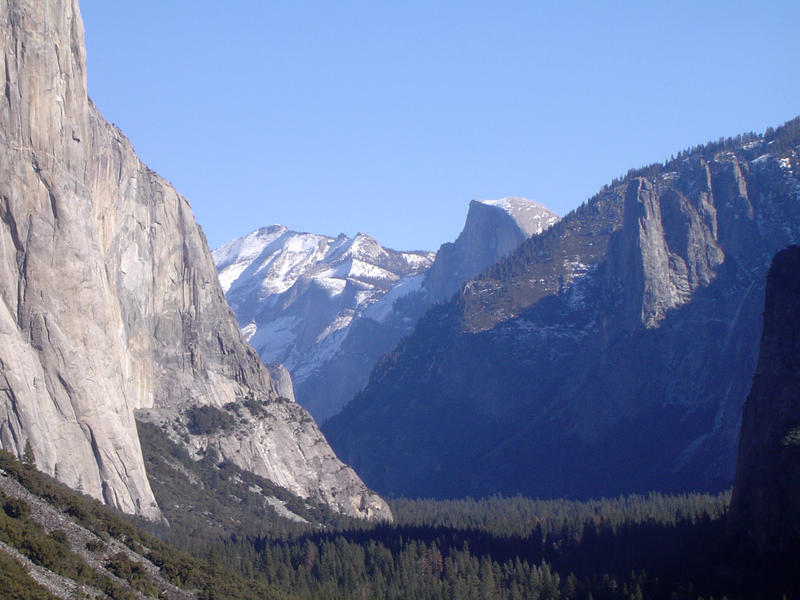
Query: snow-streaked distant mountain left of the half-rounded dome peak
point(298, 295)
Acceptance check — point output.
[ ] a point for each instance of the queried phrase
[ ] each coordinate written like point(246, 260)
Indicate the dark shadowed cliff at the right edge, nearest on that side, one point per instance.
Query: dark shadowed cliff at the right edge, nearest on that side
point(766, 493)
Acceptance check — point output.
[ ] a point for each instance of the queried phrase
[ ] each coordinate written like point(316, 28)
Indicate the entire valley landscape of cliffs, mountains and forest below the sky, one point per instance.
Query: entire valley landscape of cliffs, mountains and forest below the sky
point(601, 405)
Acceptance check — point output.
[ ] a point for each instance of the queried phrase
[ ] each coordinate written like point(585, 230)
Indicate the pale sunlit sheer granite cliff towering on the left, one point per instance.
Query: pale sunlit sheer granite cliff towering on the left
point(110, 301)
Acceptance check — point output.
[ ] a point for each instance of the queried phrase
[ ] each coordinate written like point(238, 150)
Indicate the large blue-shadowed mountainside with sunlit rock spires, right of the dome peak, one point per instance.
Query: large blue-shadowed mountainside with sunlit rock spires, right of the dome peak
point(612, 353)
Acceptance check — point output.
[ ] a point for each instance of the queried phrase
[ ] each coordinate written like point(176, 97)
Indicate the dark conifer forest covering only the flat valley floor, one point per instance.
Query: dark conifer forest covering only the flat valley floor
point(653, 546)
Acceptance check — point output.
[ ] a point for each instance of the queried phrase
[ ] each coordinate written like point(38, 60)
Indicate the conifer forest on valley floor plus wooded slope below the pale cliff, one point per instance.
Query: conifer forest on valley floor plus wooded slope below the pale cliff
point(650, 546)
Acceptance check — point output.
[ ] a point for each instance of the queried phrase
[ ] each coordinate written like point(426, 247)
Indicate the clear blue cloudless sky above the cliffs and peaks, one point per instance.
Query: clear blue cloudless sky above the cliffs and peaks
point(388, 117)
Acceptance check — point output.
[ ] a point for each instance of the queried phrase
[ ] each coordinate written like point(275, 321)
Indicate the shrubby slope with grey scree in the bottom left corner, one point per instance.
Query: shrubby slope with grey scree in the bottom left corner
point(55, 543)
